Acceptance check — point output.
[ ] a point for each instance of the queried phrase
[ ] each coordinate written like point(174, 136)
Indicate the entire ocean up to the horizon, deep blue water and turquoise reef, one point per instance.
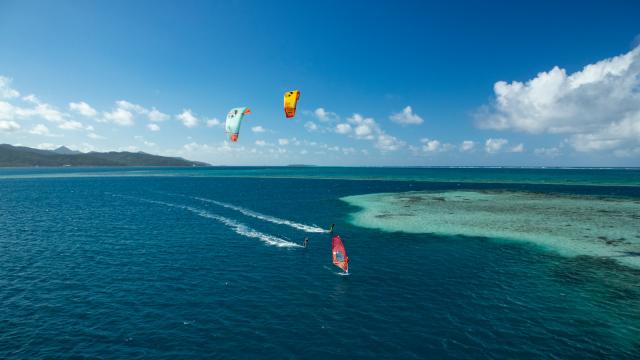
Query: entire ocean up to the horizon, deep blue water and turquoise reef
point(208, 263)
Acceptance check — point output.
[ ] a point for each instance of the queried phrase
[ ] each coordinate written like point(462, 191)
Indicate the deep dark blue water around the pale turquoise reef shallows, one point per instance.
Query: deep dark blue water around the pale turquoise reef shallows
point(127, 267)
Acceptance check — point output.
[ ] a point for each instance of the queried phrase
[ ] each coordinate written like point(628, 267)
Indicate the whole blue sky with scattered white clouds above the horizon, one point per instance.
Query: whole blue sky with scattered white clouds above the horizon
point(385, 83)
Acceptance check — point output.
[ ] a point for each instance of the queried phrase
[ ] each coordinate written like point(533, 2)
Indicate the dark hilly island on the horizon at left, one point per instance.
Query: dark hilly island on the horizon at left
point(22, 156)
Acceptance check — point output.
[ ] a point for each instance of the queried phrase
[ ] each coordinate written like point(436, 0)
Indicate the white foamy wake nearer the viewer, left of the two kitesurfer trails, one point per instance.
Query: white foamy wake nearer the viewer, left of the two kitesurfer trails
point(238, 227)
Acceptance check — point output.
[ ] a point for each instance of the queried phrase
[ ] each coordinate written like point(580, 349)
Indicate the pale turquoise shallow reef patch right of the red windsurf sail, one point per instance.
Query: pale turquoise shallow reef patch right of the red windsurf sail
point(598, 226)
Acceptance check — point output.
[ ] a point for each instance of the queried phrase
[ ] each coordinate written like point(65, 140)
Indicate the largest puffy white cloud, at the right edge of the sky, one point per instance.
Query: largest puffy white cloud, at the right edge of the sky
point(597, 107)
